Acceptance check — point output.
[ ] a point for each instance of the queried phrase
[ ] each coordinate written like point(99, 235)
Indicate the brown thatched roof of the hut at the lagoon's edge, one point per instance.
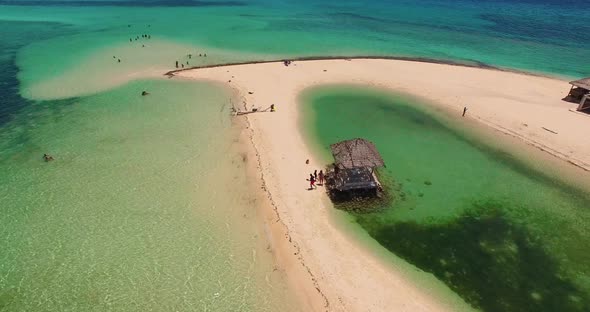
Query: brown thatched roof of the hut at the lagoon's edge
point(356, 153)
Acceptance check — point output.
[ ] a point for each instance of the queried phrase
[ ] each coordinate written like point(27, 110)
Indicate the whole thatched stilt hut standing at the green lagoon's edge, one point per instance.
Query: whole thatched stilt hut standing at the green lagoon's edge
point(353, 173)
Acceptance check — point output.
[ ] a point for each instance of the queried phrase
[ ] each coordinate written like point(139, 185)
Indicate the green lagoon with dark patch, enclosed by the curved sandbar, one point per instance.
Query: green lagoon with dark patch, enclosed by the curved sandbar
point(501, 234)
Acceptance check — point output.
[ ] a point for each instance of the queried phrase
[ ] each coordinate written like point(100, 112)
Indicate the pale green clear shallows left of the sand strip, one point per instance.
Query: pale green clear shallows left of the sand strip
point(140, 210)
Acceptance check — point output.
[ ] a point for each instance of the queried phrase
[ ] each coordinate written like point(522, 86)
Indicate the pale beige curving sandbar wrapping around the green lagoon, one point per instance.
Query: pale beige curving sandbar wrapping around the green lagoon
point(329, 271)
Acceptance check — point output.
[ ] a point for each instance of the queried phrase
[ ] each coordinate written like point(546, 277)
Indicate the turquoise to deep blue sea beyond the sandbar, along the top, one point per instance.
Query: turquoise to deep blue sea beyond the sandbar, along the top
point(516, 34)
